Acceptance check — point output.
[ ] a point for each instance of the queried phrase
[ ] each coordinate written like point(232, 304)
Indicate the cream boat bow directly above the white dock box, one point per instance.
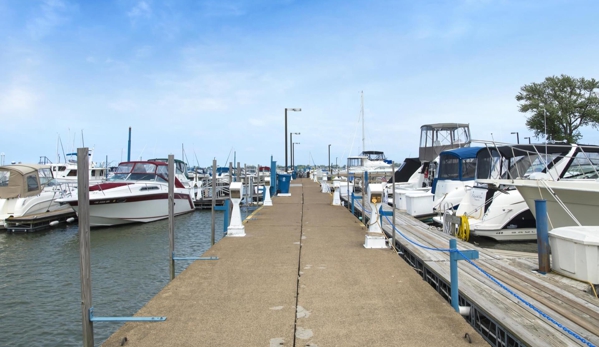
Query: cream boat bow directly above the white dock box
point(569, 202)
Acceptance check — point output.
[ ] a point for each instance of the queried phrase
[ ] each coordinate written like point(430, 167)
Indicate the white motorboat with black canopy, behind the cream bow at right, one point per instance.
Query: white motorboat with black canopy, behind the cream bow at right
point(494, 206)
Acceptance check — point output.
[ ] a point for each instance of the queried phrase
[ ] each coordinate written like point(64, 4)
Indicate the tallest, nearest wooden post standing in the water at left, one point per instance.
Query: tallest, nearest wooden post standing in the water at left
point(84, 244)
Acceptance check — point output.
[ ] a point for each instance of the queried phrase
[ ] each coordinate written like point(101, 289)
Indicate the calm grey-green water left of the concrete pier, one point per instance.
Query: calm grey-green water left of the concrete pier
point(39, 276)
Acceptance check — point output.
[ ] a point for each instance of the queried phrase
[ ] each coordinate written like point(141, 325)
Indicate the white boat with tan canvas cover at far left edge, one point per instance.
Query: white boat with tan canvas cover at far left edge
point(27, 190)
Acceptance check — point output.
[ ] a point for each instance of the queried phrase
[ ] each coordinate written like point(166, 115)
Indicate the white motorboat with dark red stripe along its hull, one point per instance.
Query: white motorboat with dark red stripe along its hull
point(138, 192)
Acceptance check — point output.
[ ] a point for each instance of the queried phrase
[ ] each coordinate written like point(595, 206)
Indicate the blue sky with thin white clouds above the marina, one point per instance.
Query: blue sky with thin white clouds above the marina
point(216, 76)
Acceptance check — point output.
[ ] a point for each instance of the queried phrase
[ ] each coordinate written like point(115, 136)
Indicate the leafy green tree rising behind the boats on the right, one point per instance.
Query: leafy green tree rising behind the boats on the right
point(567, 103)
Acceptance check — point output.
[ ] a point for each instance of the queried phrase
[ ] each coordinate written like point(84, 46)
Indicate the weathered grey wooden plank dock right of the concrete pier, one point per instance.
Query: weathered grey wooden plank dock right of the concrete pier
point(564, 300)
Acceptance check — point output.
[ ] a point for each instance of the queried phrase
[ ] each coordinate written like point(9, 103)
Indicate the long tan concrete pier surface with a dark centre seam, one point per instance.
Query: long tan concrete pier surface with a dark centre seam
point(301, 277)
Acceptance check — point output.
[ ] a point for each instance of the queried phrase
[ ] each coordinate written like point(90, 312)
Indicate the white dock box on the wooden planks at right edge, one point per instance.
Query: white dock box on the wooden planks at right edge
point(575, 252)
